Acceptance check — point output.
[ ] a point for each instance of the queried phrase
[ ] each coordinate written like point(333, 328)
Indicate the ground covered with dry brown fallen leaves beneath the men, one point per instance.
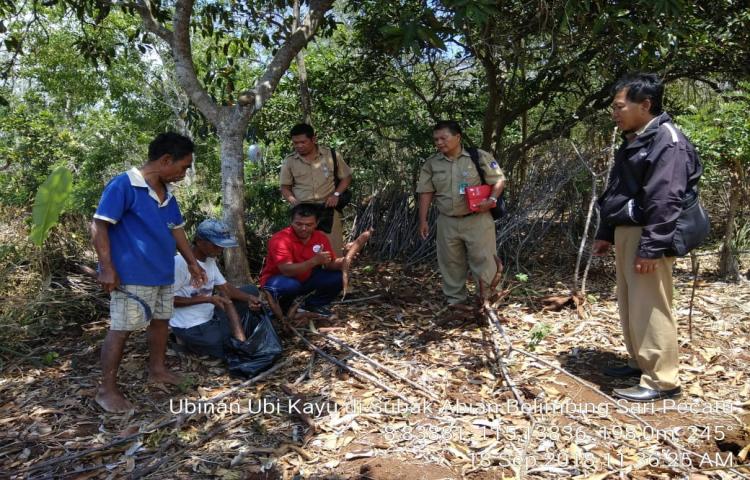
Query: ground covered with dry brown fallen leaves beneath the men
point(461, 420)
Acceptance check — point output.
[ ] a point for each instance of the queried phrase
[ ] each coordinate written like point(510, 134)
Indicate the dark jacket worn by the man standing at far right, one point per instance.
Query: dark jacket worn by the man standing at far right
point(653, 176)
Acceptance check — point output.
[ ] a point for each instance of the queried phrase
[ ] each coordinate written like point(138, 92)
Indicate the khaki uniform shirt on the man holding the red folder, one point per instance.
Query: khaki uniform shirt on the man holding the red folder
point(444, 177)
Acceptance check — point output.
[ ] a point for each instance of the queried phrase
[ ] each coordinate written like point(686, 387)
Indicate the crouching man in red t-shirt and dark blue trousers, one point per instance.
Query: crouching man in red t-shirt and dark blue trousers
point(300, 260)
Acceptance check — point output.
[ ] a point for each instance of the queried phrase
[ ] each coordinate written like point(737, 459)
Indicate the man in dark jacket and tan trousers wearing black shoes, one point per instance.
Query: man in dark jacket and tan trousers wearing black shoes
point(655, 169)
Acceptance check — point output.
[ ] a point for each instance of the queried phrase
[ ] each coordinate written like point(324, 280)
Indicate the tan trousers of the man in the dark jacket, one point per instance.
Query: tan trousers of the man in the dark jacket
point(645, 305)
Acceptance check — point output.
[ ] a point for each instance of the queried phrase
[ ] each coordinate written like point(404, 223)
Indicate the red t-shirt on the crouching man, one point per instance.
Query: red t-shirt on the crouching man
point(286, 247)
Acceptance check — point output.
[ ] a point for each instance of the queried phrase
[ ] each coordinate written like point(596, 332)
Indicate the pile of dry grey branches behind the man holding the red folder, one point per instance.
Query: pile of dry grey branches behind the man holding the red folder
point(551, 203)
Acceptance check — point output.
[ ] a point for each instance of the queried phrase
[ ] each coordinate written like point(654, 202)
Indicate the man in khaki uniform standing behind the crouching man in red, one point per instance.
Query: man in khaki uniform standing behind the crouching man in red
point(307, 177)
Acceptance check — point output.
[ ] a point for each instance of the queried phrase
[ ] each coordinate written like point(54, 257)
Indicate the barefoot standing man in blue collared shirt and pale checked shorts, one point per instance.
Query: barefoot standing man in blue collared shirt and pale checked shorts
point(135, 231)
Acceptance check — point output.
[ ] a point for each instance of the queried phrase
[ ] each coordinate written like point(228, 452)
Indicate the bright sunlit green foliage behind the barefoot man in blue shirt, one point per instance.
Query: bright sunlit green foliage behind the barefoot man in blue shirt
point(64, 110)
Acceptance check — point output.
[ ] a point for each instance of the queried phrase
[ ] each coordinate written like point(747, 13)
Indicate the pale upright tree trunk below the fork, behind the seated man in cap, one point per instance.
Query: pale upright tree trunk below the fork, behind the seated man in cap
point(233, 198)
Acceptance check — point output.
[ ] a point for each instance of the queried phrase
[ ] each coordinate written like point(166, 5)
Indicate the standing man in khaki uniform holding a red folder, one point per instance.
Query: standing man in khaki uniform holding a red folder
point(465, 240)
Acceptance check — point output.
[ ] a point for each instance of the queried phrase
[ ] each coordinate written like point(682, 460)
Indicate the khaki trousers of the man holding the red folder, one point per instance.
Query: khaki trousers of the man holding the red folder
point(465, 243)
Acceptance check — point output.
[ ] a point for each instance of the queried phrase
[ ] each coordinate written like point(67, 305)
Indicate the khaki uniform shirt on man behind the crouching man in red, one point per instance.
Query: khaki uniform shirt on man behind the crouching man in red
point(313, 182)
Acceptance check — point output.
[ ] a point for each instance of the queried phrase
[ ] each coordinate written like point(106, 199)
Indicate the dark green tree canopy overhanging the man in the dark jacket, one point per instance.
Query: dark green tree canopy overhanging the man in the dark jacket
point(550, 65)
